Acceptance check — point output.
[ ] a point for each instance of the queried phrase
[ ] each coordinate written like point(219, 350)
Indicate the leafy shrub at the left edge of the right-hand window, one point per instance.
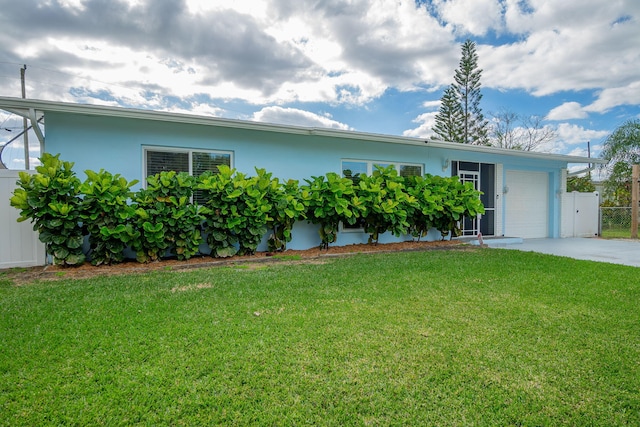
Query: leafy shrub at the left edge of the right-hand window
point(330, 199)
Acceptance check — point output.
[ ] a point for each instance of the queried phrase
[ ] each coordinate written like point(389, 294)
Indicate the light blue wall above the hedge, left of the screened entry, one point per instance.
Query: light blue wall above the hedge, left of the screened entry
point(116, 145)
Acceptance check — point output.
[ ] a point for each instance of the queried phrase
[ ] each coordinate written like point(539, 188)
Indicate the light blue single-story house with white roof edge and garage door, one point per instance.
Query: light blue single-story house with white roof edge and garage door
point(522, 190)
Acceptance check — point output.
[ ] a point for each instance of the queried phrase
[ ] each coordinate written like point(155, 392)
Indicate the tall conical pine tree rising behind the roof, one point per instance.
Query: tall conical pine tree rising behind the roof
point(462, 99)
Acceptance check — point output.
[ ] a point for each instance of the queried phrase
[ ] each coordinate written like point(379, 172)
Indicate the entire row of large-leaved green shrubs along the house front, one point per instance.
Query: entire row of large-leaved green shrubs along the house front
point(236, 213)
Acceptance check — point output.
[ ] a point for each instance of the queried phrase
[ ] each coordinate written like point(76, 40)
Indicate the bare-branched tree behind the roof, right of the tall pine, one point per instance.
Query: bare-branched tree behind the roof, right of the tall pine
point(517, 132)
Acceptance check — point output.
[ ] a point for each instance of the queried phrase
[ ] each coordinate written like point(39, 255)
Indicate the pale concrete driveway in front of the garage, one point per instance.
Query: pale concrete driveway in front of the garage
point(626, 252)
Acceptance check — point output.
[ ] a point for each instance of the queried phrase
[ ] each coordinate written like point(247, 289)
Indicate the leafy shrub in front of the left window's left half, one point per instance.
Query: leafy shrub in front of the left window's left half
point(166, 218)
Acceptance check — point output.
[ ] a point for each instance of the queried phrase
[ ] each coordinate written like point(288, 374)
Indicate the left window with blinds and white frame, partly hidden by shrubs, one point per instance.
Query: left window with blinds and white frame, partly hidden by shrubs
point(195, 162)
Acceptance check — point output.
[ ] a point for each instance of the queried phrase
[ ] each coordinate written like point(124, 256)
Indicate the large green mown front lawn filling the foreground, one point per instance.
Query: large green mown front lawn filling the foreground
point(477, 337)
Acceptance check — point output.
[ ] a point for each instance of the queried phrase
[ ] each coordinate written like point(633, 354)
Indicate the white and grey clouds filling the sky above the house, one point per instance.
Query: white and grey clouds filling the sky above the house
point(279, 51)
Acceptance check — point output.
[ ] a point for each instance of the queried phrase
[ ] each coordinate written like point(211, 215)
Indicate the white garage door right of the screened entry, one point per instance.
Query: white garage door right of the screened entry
point(527, 204)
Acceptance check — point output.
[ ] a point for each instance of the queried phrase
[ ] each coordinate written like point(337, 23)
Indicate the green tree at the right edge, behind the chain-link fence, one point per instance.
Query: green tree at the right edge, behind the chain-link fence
point(622, 150)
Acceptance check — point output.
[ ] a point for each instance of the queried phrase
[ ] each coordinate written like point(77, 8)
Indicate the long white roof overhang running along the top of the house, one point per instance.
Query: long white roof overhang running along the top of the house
point(32, 109)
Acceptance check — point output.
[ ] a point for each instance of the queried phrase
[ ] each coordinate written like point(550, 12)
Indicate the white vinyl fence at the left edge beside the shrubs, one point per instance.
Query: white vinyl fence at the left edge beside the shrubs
point(19, 244)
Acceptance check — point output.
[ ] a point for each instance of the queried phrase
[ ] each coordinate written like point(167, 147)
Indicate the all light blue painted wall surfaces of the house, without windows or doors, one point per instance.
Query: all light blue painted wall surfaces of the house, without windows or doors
point(116, 145)
